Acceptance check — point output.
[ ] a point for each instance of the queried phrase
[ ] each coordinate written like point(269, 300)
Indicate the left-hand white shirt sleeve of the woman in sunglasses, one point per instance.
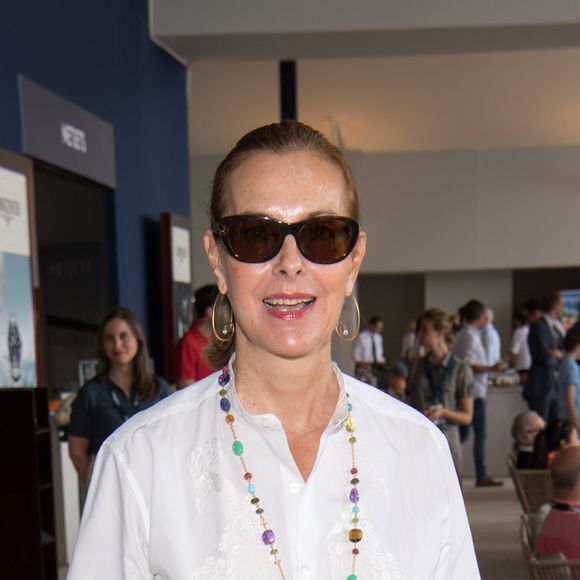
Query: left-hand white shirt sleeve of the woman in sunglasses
point(114, 532)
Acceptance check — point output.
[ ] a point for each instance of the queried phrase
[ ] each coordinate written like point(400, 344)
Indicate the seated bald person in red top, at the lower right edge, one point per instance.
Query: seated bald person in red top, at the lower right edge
point(560, 532)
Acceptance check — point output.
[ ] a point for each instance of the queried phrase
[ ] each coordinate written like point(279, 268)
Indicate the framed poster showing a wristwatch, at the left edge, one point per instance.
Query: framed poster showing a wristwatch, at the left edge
point(19, 340)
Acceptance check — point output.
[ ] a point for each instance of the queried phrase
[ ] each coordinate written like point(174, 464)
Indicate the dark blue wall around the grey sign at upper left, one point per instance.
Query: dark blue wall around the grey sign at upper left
point(97, 53)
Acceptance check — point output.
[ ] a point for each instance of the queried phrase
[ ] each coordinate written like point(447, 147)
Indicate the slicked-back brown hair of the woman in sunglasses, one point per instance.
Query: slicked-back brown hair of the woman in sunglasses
point(279, 139)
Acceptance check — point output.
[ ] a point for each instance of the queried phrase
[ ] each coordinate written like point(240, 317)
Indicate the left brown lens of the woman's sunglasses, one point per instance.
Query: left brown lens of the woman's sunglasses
point(254, 240)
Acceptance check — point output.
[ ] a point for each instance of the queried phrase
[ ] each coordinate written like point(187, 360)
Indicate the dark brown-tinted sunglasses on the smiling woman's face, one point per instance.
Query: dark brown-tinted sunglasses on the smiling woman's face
point(255, 239)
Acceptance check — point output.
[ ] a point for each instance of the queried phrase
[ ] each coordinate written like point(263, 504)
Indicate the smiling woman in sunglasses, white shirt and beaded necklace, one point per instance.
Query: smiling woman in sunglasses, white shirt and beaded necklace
point(278, 466)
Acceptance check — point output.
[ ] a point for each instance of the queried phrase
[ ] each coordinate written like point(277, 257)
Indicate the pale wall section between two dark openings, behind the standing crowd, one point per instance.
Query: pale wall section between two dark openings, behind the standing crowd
point(450, 290)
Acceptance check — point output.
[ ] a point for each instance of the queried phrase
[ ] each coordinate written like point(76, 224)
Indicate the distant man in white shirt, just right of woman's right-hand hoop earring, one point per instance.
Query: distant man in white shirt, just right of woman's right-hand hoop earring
point(369, 354)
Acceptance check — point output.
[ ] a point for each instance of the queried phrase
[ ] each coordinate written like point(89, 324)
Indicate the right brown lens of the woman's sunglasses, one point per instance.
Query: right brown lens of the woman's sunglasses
point(327, 240)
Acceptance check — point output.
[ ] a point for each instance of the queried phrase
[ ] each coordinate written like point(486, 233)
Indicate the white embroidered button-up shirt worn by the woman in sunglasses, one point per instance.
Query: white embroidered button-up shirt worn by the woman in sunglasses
point(168, 499)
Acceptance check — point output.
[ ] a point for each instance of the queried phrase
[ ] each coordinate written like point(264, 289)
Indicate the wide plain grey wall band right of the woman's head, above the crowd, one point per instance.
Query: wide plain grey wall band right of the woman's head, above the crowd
point(465, 210)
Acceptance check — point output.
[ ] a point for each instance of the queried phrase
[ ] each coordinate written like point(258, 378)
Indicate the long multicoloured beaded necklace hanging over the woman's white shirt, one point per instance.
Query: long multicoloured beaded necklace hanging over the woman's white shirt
point(268, 537)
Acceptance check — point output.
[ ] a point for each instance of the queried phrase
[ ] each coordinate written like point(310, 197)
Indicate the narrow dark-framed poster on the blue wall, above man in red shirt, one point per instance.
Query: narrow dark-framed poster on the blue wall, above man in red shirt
point(176, 283)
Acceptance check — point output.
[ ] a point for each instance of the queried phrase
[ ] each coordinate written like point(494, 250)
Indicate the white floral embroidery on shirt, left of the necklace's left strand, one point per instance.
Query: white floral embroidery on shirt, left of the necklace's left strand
point(239, 554)
